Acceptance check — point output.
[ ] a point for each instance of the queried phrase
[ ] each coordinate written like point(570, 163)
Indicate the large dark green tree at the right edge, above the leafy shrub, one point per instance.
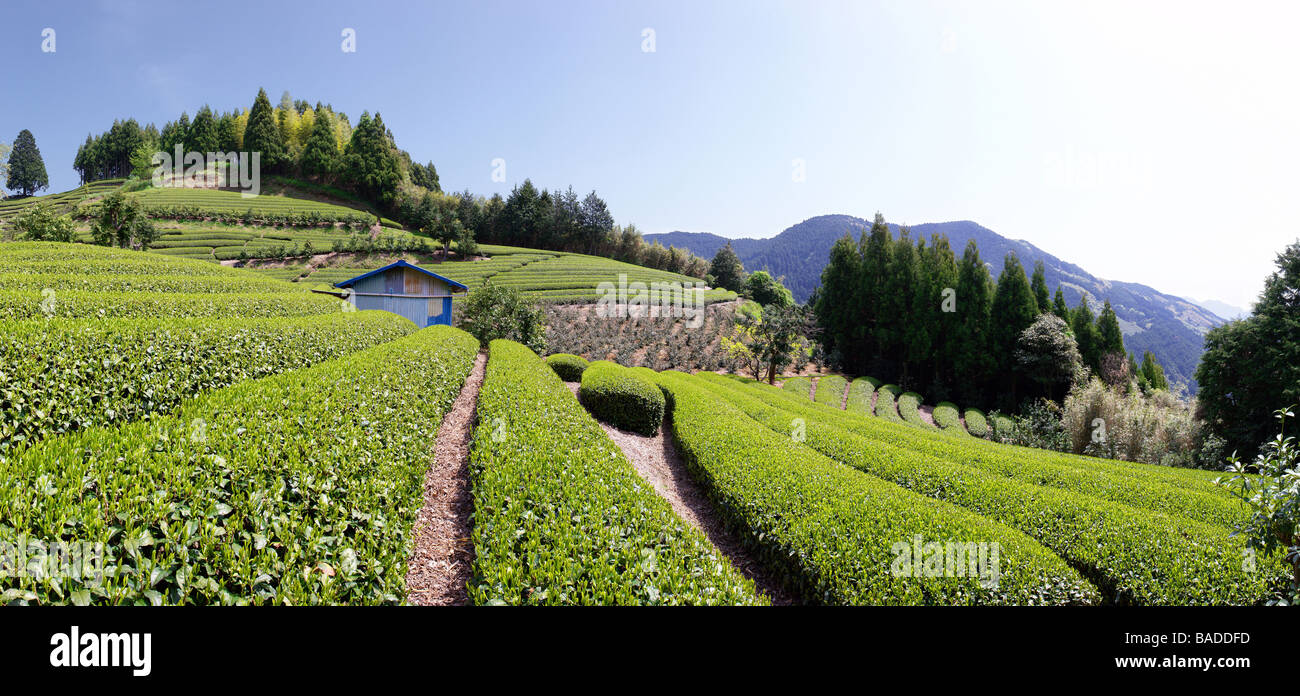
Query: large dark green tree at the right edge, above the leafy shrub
point(1253, 366)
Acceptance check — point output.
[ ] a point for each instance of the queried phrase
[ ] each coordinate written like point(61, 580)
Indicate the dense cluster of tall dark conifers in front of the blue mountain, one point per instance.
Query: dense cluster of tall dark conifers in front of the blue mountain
point(915, 314)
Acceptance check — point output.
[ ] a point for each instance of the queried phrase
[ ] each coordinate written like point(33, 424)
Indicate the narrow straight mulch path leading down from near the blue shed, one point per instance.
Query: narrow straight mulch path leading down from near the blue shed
point(441, 563)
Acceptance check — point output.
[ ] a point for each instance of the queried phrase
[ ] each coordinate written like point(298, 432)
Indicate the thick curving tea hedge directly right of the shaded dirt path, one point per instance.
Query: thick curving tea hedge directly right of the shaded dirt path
point(831, 533)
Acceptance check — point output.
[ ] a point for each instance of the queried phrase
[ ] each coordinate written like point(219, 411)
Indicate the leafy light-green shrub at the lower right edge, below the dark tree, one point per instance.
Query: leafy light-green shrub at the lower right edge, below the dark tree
point(1273, 499)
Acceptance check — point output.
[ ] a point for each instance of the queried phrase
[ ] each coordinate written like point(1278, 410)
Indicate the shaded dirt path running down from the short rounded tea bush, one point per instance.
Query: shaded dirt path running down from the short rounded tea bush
point(661, 465)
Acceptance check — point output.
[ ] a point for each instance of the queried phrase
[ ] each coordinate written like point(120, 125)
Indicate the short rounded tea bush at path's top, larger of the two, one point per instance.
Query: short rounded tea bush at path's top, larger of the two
point(623, 399)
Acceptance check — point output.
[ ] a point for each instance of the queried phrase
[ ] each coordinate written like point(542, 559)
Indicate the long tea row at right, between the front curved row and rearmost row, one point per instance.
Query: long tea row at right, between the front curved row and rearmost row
point(1134, 556)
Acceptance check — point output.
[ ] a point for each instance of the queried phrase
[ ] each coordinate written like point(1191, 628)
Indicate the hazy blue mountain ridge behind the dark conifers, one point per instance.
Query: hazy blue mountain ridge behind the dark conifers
point(1171, 327)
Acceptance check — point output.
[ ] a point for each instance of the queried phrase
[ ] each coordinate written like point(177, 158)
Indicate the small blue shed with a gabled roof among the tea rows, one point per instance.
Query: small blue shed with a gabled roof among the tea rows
point(405, 289)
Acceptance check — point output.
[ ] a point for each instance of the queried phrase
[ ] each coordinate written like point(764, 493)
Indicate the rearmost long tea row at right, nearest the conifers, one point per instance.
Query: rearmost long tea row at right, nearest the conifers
point(1152, 489)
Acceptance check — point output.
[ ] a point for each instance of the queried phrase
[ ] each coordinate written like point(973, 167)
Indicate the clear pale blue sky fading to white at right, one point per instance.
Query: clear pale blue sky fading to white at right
point(1146, 141)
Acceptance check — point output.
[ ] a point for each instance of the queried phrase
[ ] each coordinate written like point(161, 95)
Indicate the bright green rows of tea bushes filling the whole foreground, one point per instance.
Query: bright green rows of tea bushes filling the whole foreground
point(196, 420)
